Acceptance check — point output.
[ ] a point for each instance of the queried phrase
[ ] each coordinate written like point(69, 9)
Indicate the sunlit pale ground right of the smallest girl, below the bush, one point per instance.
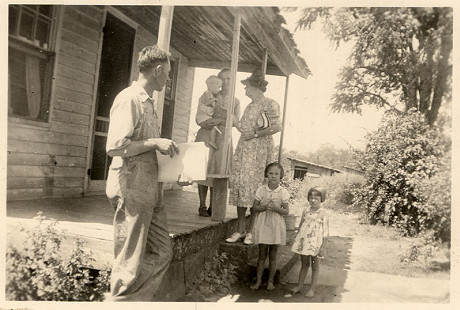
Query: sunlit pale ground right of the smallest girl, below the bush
point(357, 245)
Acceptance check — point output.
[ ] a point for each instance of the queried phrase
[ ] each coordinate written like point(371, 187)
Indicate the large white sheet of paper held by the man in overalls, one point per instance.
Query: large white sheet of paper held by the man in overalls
point(192, 160)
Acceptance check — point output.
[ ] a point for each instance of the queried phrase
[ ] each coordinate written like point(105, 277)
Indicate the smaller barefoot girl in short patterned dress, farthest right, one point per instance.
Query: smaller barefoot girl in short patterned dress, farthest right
point(311, 239)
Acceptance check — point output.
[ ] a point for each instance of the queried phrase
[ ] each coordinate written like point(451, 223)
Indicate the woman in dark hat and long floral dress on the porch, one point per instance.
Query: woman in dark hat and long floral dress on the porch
point(260, 120)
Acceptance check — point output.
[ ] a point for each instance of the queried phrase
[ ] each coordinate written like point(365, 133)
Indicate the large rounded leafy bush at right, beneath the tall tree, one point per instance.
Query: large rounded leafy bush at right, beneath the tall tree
point(403, 159)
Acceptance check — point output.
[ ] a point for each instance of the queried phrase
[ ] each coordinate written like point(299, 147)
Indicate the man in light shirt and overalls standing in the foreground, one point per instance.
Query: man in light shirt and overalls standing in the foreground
point(142, 245)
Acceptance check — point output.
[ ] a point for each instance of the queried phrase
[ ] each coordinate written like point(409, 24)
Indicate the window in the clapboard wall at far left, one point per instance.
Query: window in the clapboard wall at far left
point(30, 60)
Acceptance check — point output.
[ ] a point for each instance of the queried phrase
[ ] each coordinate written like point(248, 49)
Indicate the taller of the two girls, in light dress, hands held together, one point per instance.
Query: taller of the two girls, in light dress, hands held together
point(270, 204)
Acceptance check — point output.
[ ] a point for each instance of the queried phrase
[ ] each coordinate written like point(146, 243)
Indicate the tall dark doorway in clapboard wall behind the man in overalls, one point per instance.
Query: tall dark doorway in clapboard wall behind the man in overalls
point(114, 75)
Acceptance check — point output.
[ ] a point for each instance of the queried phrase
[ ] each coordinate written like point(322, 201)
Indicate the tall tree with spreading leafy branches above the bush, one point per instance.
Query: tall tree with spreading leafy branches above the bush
point(401, 57)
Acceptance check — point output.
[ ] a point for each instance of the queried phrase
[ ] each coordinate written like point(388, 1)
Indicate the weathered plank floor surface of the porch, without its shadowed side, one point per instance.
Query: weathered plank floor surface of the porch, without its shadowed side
point(90, 219)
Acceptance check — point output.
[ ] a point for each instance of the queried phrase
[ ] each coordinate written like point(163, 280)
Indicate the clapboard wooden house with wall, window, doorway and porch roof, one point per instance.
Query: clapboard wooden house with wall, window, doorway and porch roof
point(66, 64)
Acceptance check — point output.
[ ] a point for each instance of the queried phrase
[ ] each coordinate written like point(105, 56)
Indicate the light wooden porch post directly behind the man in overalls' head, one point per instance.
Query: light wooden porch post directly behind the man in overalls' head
point(164, 37)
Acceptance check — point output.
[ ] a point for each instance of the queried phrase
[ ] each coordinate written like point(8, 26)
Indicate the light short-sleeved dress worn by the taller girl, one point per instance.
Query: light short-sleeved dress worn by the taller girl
point(269, 226)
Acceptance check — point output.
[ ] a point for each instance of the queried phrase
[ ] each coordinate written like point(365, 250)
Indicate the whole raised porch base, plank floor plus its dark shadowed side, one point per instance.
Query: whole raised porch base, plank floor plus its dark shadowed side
point(194, 238)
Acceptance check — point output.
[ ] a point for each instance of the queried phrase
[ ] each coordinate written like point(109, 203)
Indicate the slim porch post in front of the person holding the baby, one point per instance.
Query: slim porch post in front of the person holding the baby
point(219, 199)
